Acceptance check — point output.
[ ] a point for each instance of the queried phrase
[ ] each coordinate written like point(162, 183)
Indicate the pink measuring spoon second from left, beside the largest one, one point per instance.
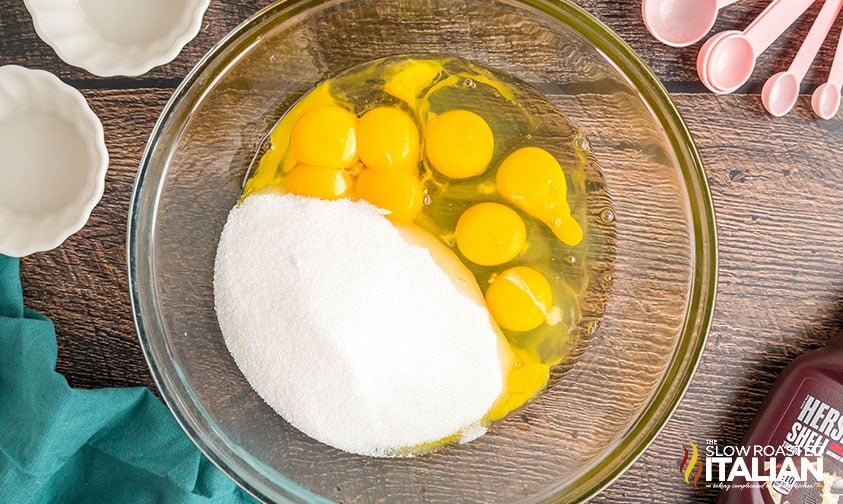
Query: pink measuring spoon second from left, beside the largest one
point(727, 59)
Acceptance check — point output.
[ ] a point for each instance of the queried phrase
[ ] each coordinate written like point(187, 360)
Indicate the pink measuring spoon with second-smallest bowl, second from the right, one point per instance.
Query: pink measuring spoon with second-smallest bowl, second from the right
point(782, 89)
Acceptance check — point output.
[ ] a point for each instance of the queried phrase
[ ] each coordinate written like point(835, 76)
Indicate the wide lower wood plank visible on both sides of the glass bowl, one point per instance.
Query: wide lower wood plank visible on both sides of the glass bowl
point(780, 291)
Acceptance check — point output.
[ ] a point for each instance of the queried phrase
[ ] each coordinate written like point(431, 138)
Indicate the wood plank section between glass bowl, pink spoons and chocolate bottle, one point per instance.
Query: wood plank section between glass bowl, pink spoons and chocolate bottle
point(781, 277)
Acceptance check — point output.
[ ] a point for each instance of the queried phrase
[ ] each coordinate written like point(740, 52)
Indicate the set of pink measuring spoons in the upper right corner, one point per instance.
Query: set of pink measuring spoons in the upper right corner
point(727, 59)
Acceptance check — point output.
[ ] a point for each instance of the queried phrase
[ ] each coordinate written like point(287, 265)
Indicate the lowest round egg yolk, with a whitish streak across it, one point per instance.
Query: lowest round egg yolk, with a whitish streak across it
point(519, 299)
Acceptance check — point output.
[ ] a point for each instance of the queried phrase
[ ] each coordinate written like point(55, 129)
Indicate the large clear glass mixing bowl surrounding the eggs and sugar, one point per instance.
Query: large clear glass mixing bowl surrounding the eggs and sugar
point(651, 268)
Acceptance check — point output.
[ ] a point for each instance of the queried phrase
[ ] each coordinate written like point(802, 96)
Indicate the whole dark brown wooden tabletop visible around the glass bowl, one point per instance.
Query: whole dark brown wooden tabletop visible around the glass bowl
point(777, 185)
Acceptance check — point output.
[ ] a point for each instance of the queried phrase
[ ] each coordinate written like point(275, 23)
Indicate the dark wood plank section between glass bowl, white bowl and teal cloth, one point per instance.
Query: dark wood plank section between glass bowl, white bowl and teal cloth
point(82, 285)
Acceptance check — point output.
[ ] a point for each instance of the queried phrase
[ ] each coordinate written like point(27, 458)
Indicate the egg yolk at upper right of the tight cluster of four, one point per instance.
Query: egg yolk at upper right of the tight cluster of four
point(387, 137)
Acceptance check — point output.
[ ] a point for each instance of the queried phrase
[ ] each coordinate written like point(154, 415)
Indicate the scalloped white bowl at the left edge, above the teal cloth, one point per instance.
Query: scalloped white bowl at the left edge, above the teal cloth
point(53, 161)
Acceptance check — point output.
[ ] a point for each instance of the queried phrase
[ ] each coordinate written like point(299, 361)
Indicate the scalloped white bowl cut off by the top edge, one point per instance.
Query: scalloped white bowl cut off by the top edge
point(117, 37)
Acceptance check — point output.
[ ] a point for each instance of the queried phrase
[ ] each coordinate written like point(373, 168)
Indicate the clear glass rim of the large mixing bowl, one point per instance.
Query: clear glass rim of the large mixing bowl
point(196, 422)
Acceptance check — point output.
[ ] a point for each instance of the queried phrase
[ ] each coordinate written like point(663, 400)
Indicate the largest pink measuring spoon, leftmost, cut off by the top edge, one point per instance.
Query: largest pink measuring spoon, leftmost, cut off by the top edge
point(680, 23)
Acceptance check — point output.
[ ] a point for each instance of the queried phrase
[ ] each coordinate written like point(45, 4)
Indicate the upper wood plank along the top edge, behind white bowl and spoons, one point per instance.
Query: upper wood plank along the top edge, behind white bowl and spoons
point(676, 67)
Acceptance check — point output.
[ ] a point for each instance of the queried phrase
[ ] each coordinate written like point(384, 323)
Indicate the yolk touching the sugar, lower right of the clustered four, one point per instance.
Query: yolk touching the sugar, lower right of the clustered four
point(395, 191)
